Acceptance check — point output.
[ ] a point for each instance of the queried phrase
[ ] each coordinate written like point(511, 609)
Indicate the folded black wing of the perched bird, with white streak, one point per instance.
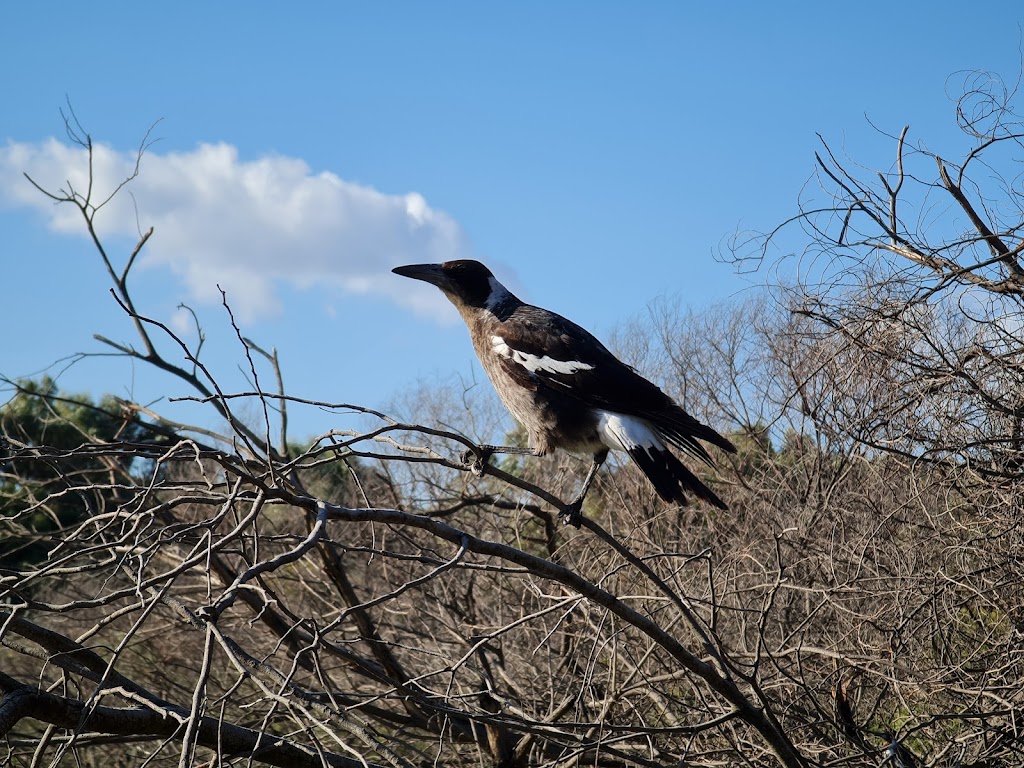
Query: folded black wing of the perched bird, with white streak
point(540, 349)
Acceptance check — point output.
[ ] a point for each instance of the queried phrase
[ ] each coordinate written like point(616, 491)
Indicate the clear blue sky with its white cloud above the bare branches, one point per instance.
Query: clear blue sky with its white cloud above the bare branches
point(595, 155)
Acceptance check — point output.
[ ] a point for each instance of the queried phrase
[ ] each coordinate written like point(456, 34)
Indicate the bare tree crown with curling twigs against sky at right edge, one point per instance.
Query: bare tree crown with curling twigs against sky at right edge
point(913, 274)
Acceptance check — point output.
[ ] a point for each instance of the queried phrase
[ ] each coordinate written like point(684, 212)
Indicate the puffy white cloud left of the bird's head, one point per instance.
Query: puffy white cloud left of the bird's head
point(246, 226)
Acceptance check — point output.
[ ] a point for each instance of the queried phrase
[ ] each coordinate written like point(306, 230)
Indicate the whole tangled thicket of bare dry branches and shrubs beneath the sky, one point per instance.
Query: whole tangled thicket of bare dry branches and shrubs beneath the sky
point(175, 595)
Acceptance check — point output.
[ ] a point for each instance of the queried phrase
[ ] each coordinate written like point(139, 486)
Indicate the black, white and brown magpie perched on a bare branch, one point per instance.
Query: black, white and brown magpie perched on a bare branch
point(569, 392)
